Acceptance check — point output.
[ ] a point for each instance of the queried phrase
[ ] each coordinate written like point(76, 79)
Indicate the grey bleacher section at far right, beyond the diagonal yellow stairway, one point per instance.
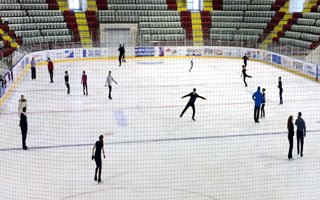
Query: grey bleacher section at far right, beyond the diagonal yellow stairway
point(303, 30)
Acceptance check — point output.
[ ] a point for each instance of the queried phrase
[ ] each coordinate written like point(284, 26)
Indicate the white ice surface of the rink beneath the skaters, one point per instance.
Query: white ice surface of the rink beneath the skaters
point(152, 153)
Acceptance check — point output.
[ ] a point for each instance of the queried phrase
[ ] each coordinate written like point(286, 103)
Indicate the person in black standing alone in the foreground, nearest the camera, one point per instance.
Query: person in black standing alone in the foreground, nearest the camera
point(96, 155)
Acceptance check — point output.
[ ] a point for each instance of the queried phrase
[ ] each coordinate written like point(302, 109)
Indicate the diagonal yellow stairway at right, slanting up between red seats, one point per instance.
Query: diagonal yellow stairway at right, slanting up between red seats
point(278, 27)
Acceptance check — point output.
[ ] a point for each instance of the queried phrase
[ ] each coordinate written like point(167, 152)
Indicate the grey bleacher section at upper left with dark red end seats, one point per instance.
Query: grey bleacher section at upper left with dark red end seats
point(33, 21)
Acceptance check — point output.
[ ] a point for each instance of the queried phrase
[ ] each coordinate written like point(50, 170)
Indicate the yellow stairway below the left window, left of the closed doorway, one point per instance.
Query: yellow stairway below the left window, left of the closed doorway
point(83, 28)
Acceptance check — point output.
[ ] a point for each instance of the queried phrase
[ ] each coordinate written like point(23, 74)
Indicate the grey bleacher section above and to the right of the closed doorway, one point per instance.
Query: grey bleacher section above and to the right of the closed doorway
point(158, 19)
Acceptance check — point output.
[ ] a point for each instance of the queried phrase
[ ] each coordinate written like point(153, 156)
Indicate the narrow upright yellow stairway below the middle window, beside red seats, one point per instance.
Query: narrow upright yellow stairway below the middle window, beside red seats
point(197, 29)
